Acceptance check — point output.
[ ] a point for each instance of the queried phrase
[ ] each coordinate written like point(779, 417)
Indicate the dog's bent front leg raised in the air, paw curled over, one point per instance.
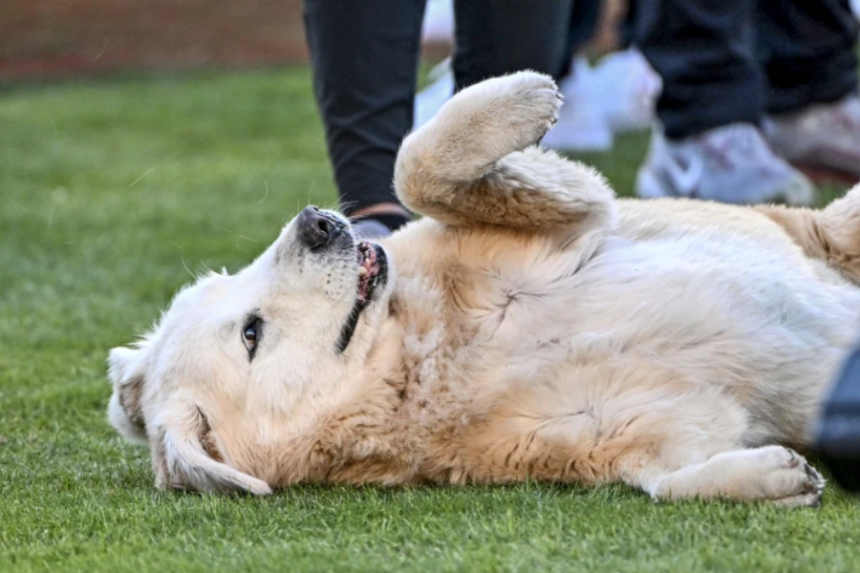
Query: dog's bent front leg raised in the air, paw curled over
point(475, 163)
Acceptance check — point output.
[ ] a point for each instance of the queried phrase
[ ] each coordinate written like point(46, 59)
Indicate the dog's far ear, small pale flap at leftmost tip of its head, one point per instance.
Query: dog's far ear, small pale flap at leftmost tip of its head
point(125, 411)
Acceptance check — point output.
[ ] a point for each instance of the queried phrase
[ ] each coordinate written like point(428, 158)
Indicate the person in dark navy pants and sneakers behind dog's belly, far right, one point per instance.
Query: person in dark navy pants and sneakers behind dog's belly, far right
point(752, 91)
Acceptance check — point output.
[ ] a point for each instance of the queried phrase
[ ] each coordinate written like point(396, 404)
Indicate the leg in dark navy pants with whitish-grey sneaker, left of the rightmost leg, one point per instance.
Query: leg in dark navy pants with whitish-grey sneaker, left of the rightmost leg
point(709, 144)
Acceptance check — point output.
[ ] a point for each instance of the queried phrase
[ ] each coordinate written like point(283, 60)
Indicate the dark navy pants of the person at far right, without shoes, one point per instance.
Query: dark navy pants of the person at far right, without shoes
point(725, 61)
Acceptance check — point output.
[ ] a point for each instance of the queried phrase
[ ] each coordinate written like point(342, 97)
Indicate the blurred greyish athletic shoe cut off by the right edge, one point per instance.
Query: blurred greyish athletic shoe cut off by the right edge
point(821, 140)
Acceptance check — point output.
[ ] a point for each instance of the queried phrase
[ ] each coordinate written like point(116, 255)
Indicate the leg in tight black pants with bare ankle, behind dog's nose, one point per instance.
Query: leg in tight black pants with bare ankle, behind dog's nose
point(364, 57)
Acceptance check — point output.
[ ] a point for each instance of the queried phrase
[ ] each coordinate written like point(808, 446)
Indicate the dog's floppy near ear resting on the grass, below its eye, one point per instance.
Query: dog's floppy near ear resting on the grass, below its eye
point(181, 461)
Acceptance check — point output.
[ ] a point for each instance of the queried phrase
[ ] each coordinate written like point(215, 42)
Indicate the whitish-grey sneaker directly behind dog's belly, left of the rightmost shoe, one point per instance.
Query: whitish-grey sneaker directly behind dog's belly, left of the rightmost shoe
point(730, 164)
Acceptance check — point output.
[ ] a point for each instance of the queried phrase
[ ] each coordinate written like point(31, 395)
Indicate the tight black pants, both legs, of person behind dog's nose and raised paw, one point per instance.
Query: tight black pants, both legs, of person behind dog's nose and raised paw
point(365, 53)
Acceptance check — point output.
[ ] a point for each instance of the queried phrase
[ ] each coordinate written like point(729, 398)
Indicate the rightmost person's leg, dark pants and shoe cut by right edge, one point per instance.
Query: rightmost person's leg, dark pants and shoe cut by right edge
point(809, 51)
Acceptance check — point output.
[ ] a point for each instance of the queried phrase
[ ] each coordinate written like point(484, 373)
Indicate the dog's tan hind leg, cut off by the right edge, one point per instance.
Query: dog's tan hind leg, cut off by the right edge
point(831, 234)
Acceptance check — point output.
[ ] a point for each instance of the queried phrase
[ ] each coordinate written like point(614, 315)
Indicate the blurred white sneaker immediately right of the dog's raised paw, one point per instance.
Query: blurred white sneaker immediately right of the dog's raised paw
point(581, 126)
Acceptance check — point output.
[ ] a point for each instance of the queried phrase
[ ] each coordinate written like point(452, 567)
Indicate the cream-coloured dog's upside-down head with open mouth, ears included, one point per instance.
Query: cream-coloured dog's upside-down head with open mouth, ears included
point(240, 365)
